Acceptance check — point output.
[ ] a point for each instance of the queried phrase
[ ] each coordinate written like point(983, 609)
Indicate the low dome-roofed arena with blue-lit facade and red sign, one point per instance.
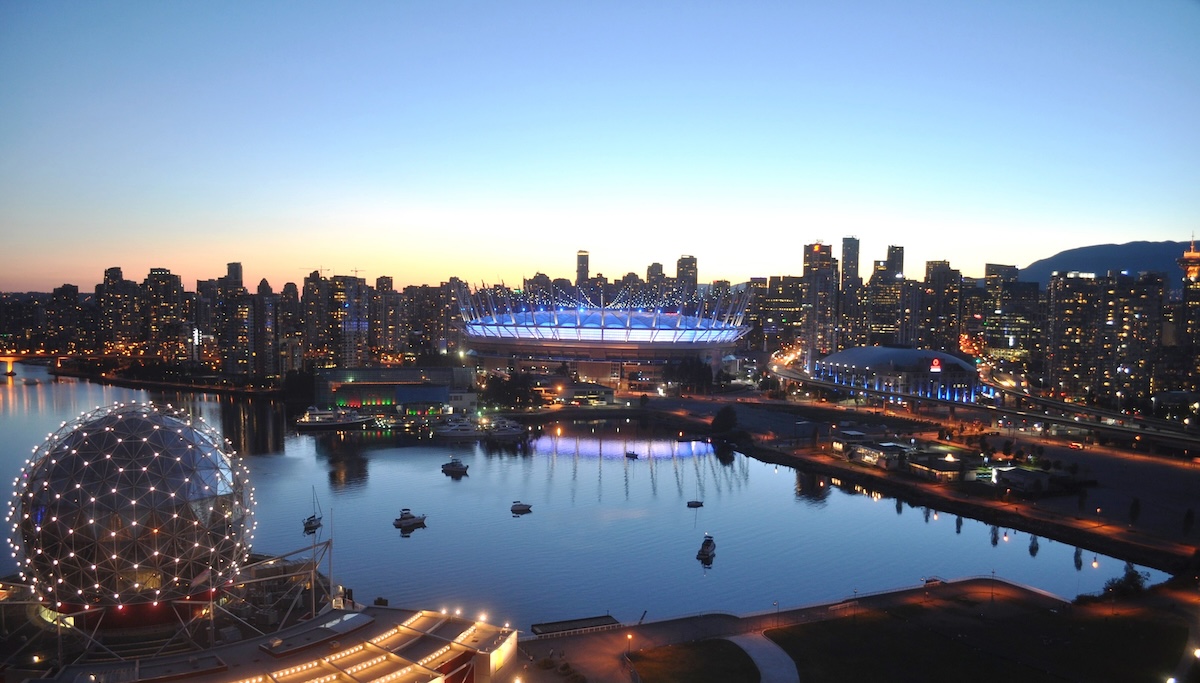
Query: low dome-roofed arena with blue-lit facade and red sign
point(914, 373)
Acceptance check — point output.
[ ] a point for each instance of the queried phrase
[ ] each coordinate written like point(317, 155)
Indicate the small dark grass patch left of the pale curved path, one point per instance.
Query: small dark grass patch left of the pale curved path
point(703, 662)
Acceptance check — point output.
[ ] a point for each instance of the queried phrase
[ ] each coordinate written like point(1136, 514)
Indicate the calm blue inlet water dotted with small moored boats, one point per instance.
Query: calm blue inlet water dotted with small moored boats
point(608, 535)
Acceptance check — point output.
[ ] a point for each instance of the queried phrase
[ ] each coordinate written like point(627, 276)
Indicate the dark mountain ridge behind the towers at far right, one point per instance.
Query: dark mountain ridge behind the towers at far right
point(1133, 257)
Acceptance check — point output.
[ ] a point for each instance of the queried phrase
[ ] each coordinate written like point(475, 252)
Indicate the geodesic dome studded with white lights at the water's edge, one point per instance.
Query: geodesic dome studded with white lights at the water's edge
point(130, 505)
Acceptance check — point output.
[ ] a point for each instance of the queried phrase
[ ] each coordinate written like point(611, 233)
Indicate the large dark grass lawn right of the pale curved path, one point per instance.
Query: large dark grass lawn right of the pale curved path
point(957, 640)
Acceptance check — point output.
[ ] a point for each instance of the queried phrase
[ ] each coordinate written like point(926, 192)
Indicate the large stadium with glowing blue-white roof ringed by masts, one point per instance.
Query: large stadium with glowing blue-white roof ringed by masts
point(621, 344)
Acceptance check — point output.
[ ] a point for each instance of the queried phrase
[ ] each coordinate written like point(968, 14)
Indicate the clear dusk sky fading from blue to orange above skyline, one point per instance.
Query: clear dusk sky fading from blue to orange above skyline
point(491, 141)
